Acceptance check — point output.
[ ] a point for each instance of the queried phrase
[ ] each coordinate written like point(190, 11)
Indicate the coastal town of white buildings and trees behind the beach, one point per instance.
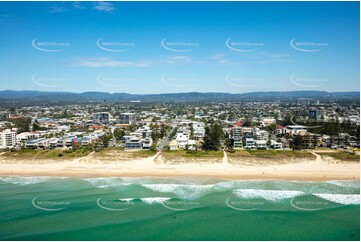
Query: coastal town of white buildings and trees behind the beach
point(192, 127)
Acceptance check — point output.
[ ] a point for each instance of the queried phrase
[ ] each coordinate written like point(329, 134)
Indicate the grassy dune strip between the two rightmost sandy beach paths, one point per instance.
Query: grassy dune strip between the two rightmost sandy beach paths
point(272, 154)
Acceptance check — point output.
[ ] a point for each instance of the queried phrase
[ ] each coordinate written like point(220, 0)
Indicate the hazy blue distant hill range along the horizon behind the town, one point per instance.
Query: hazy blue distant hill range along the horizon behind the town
point(42, 96)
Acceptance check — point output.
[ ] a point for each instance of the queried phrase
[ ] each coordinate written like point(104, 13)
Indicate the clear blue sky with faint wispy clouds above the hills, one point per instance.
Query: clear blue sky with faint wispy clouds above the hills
point(166, 47)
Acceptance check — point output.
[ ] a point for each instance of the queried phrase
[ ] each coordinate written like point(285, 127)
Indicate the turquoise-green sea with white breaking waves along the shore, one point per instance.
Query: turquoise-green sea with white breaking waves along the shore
point(43, 208)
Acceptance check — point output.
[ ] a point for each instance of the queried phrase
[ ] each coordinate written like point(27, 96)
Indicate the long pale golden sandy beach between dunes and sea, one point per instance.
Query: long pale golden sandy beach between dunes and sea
point(311, 170)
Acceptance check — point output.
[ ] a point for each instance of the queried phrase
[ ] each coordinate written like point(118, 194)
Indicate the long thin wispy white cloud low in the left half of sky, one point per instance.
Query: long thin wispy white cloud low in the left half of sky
point(106, 62)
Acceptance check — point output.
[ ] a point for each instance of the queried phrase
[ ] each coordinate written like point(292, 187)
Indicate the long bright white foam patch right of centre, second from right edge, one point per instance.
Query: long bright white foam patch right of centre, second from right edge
point(270, 195)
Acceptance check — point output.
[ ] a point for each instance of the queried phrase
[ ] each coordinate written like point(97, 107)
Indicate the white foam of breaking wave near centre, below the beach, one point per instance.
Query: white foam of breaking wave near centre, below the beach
point(184, 191)
